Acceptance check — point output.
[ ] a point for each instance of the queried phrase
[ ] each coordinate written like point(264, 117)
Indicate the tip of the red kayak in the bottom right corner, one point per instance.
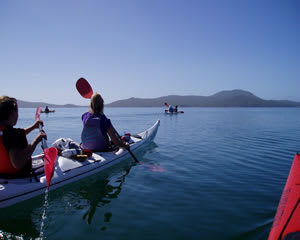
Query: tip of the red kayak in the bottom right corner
point(286, 224)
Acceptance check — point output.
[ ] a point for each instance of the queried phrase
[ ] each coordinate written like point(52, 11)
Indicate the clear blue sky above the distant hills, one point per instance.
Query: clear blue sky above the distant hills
point(149, 48)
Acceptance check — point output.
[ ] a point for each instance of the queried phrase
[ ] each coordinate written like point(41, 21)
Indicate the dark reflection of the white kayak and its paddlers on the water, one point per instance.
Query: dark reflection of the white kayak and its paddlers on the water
point(23, 222)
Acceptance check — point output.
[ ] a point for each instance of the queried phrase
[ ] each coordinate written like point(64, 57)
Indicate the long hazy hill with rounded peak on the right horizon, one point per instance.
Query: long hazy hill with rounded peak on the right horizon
point(232, 98)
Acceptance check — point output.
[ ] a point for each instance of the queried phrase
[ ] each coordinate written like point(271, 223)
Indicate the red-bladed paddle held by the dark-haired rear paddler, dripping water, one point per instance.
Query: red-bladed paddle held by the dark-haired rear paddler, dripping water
point(50, 154)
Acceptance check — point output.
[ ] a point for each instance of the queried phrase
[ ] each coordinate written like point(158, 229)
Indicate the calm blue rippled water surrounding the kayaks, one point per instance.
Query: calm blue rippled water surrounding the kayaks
point(225, 171)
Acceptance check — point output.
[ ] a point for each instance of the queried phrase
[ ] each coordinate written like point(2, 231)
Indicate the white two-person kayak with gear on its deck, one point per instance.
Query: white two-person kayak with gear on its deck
point(68, 170)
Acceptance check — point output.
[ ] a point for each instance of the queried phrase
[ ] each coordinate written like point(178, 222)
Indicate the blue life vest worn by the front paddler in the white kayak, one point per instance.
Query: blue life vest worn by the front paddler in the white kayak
point(92, 137)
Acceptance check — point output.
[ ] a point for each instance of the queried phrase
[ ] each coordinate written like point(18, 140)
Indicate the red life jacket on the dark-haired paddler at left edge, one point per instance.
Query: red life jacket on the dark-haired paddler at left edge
point(5, 164)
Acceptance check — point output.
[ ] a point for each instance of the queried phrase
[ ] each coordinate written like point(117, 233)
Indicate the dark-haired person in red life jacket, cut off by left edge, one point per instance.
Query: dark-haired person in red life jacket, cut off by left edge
point(15, 152)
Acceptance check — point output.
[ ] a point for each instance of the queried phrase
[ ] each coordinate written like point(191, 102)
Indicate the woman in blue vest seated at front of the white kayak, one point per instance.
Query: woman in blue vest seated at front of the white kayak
point(97, 128)
